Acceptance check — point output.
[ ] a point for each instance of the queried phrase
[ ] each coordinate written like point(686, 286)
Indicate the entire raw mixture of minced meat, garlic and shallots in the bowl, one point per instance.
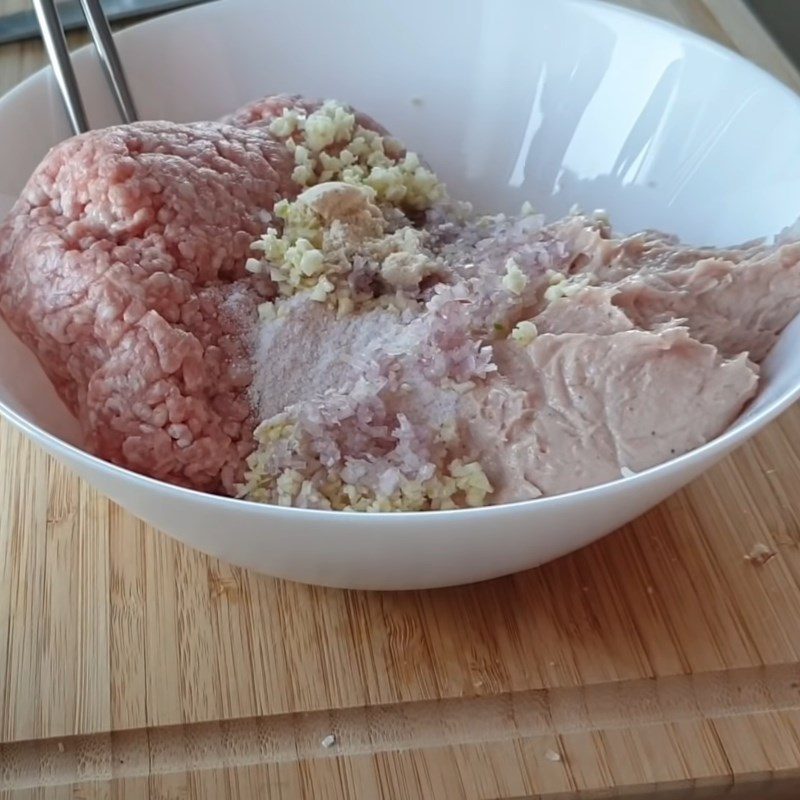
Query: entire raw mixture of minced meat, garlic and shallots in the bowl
point(286, 306)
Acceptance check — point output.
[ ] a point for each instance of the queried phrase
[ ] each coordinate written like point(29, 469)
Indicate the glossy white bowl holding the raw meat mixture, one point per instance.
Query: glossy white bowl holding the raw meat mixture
point(558, 102)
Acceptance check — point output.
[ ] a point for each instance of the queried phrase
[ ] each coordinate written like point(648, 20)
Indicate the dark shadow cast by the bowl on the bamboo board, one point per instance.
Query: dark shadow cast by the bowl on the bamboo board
point(619, 609)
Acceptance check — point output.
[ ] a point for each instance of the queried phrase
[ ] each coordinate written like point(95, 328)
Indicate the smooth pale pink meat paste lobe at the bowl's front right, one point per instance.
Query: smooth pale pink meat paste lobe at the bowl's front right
point(575, 409)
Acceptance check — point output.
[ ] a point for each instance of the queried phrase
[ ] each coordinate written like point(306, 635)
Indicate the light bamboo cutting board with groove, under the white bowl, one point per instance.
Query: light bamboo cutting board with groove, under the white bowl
point(658, 662)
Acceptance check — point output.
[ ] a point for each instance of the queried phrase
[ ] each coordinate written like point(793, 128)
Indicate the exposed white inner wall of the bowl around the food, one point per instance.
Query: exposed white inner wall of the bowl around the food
point(557, 103)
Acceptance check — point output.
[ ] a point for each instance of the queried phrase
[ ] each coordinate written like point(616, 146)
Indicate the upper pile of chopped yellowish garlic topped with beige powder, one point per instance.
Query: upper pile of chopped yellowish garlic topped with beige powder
point(351, 174)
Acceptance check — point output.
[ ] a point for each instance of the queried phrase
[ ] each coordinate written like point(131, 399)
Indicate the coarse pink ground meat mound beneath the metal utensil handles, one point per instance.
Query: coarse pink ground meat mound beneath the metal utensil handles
point(116, 265)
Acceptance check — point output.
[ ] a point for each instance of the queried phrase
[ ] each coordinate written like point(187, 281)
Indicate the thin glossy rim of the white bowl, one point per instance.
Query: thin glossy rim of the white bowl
point(734, 435)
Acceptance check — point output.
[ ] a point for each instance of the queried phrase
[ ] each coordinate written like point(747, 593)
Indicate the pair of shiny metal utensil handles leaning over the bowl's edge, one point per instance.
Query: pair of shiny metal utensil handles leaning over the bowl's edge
point(56, 45)
